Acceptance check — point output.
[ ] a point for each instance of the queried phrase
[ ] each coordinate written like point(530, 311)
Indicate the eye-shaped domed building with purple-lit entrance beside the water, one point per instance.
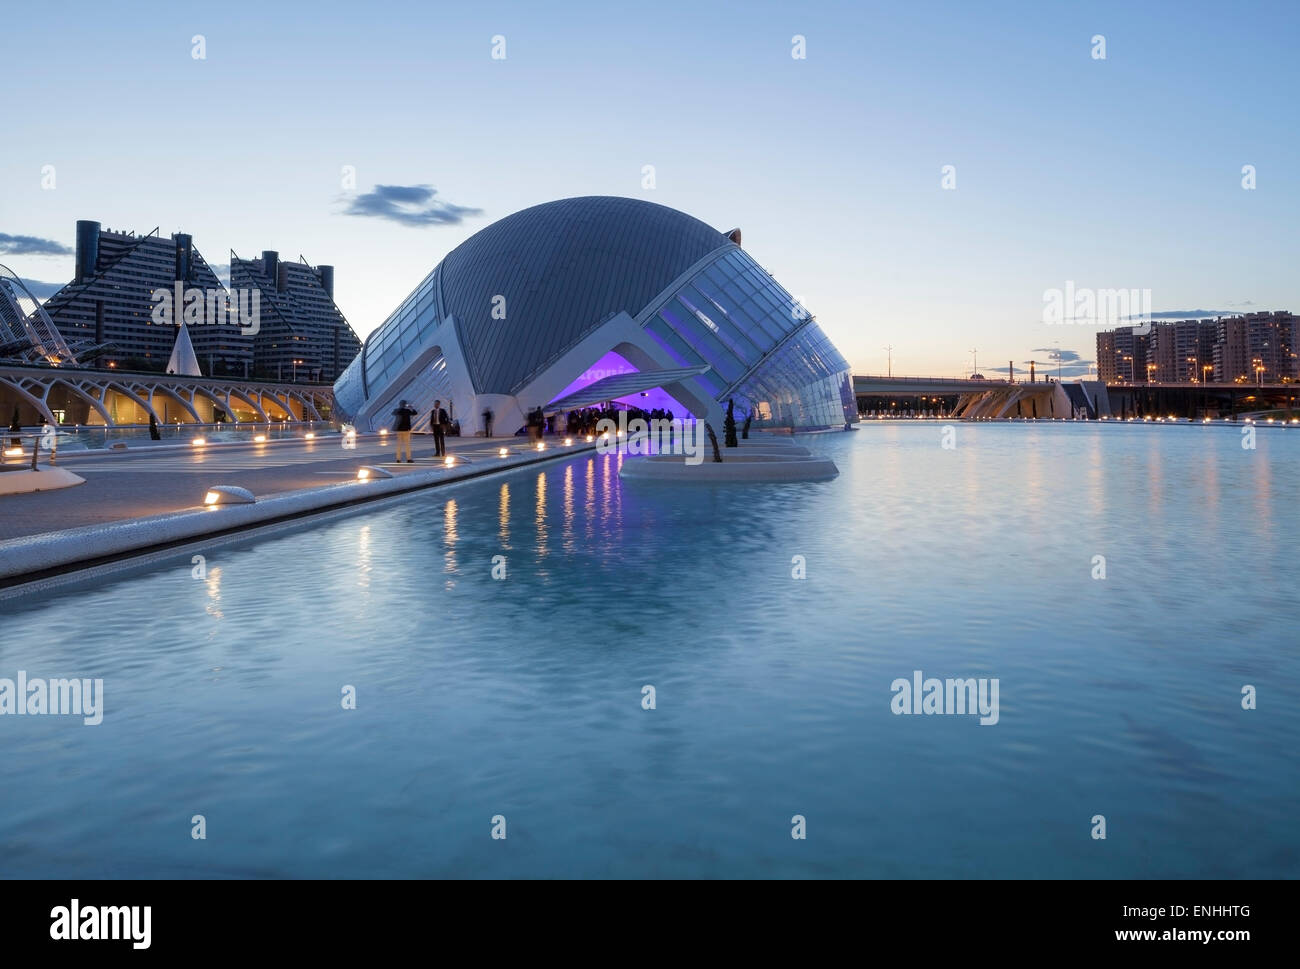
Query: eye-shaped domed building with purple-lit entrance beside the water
point(583, 301)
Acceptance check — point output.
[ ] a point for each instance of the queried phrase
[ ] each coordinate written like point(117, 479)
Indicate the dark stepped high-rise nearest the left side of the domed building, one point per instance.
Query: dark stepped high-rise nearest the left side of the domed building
point(302, 335)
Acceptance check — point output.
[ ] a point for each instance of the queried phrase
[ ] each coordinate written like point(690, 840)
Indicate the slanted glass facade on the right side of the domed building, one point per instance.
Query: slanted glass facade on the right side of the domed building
point(764, 348)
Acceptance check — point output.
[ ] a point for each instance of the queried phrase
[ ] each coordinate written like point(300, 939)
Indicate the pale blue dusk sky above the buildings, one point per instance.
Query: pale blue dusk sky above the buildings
point(1116, 174)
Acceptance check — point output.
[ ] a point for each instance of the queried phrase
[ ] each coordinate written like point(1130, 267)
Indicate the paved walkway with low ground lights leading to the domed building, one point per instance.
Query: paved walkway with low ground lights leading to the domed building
point(150, 482)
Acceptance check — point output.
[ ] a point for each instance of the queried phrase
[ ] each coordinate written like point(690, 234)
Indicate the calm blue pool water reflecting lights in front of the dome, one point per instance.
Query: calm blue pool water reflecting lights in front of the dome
point(523, 698)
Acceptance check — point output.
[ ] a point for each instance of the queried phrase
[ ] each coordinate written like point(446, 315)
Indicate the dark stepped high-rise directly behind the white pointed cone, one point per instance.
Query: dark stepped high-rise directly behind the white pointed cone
point(111, 301)
